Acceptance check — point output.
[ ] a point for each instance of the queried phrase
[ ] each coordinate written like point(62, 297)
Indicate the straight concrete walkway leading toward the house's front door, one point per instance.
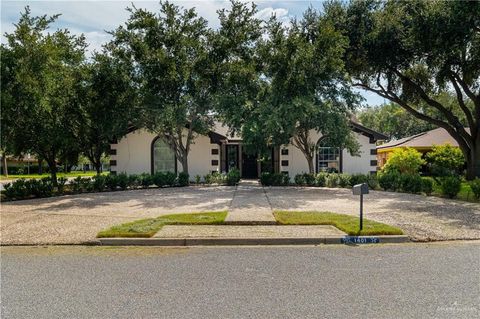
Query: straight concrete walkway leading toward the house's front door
point(250, 205)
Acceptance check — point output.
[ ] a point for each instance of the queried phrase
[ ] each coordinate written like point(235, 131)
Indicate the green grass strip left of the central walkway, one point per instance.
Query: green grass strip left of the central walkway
point(150, 226)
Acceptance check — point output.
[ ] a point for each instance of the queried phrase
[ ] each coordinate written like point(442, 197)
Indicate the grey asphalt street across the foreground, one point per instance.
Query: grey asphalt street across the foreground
point(439, 280)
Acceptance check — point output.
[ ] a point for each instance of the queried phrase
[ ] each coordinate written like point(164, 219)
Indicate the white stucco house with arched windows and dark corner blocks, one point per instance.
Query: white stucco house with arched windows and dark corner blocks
point(141, 151)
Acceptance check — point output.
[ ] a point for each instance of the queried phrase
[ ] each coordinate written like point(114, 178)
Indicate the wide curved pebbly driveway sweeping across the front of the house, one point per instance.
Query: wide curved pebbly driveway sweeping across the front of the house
point(78, 218)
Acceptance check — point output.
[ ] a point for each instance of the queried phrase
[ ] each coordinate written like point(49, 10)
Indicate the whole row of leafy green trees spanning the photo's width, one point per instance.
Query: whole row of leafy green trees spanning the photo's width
point(273, 82)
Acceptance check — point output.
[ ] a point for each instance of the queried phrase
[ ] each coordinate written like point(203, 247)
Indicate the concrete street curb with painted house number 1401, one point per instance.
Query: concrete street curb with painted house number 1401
point(332, 240)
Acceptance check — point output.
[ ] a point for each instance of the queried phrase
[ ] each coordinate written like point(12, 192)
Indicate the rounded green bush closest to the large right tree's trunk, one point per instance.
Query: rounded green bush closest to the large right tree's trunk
point(445, 160)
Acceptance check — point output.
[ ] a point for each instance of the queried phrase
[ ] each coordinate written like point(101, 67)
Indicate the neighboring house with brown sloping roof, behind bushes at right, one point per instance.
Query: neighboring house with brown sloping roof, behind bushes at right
point(422, 142)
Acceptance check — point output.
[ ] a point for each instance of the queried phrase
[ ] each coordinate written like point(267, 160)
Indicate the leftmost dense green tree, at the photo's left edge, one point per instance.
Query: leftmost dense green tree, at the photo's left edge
point(43, 86)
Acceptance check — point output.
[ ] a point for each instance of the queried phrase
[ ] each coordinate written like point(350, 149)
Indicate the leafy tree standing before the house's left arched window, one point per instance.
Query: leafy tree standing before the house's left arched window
point(170, 53)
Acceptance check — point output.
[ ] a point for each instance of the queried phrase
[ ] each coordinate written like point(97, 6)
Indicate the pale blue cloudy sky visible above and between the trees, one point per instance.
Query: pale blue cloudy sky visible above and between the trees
point(94, 18)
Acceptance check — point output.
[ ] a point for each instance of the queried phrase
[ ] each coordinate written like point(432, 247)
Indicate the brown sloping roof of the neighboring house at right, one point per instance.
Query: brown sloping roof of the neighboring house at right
point(427, 139)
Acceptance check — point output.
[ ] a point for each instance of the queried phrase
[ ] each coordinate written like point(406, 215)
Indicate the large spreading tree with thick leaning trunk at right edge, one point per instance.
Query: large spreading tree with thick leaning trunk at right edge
point(412, 53)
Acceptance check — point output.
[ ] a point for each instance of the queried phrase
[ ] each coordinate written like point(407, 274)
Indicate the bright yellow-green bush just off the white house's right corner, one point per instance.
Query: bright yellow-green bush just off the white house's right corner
point(404, 161)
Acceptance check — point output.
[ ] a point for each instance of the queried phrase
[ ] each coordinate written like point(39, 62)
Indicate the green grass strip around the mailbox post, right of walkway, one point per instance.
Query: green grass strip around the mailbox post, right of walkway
point(346, 223)
